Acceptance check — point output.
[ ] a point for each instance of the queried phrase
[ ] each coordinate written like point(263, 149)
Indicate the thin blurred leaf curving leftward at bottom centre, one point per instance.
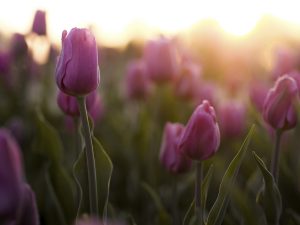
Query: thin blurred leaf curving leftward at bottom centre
point(164, 217)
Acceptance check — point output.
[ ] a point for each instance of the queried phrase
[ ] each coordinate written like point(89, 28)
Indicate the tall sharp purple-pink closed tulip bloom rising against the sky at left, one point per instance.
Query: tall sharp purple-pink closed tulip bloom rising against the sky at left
point(77, 71)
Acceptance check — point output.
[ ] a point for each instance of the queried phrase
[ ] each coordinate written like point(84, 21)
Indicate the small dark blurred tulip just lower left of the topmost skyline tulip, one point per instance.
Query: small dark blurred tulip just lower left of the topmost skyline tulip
point(19, 47)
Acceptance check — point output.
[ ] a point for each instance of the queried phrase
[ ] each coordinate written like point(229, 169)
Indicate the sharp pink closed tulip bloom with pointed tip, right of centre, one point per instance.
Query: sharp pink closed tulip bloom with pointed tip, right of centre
point(201, 138)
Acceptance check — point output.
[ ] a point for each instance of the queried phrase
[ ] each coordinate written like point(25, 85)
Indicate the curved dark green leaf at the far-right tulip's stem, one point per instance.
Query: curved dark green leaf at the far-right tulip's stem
point(269, 197)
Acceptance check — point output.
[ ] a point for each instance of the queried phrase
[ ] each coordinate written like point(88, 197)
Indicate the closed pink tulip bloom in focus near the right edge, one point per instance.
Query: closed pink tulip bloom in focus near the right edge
point(279, 110)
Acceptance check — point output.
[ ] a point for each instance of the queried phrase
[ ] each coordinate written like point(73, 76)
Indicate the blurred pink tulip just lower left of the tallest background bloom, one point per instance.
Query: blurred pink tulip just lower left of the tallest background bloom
point(138, 84)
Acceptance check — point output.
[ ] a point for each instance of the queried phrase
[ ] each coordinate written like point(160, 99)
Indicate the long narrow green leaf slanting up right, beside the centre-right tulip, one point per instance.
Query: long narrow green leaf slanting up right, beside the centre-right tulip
point(217, 212)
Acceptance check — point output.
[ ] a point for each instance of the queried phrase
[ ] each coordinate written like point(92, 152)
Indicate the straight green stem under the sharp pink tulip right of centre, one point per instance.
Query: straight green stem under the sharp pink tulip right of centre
point(198, 209)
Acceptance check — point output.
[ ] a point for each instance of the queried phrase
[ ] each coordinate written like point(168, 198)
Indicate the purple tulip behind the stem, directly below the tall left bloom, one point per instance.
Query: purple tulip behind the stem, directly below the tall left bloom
point(68, 104)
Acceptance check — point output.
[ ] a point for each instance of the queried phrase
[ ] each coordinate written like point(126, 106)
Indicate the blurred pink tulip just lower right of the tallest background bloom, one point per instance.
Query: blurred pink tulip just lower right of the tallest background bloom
point(188, 81)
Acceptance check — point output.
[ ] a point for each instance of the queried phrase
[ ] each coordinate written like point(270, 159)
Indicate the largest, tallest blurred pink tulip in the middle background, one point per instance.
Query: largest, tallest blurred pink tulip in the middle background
point(162, 60)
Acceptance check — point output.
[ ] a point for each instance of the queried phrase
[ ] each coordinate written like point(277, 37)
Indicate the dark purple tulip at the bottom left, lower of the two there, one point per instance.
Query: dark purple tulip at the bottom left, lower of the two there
point(28, 208)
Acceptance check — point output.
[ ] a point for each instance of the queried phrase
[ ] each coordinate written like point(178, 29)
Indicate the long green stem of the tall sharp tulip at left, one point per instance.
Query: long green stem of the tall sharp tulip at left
point(90, 159)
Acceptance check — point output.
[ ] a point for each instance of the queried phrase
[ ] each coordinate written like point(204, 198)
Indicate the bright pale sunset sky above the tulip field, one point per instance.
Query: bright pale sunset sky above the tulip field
point(116, 21)
